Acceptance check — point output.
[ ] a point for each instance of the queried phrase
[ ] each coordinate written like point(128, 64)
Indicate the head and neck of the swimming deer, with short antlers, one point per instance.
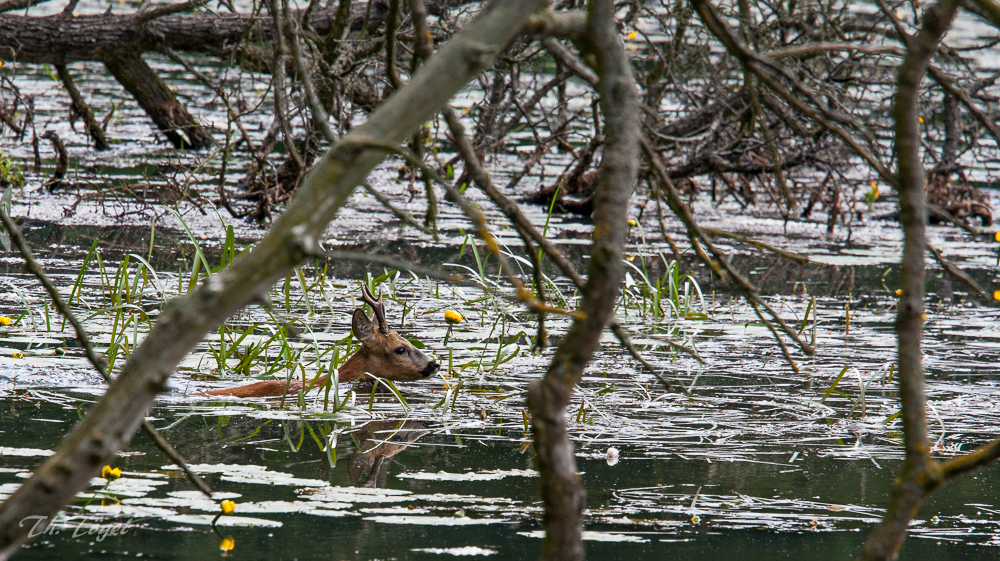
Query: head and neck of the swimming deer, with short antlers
point(383, 352)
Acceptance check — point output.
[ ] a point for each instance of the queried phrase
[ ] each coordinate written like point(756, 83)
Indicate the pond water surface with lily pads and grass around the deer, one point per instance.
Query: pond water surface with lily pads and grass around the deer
point(742, 456)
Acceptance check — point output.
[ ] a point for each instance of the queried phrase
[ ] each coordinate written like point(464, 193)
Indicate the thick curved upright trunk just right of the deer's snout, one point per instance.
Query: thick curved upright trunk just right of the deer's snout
point(562, 491)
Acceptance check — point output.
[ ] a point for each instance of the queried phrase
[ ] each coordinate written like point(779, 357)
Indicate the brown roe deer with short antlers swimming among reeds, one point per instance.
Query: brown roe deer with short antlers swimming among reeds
point(383, 353)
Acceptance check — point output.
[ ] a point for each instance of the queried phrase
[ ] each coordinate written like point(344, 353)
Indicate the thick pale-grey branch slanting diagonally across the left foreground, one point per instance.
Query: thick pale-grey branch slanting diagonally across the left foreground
point(294, 236)
